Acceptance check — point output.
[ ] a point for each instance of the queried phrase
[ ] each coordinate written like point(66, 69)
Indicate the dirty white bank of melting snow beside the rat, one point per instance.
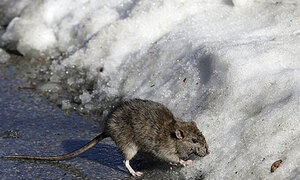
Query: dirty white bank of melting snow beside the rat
point(233, 67)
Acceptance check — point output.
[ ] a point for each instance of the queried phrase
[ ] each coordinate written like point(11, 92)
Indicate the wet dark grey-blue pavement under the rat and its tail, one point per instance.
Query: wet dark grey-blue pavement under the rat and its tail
point(31, 125)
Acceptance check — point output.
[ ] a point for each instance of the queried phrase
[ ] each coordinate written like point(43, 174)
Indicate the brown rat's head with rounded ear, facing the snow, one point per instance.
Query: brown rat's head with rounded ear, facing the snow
point(189, 140)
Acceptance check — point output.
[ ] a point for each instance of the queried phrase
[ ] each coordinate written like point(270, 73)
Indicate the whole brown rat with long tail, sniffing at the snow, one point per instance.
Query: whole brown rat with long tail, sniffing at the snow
point(147, 126)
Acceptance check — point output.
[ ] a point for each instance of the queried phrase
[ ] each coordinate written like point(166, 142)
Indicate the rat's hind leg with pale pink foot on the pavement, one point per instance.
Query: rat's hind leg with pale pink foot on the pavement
point(129, 152)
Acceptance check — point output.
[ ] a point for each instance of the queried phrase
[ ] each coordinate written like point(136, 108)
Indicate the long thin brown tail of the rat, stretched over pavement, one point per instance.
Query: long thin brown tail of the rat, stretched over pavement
point(75, 153)
